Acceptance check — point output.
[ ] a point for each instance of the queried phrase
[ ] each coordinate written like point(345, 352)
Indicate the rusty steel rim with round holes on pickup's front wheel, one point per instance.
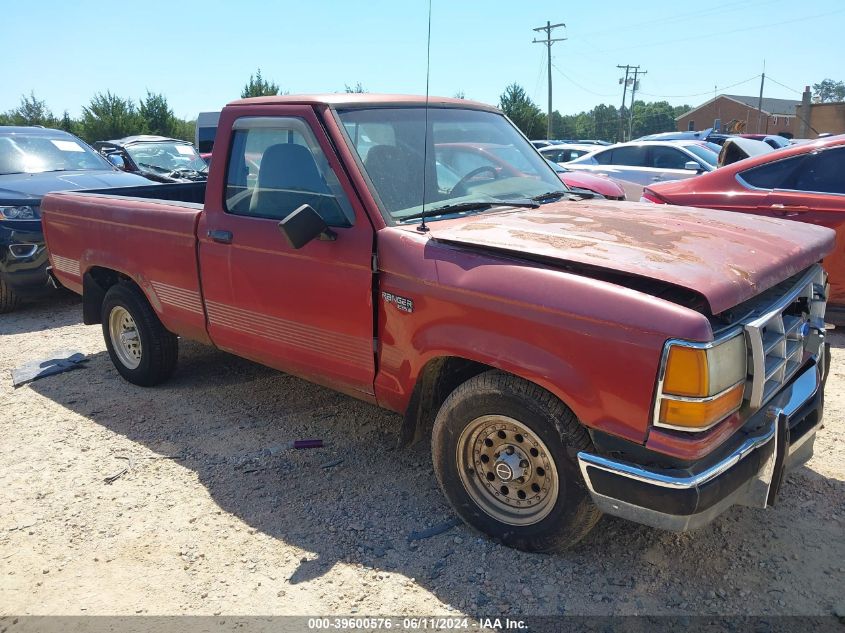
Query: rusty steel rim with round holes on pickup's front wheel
point(524, 485)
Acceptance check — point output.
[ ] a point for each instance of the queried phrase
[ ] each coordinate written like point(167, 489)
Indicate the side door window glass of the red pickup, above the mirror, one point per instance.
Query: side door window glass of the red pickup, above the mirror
point(276, 166)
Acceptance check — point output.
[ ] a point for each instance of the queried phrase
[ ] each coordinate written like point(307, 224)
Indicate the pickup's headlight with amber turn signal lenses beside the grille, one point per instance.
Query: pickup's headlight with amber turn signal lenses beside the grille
point(701, 385)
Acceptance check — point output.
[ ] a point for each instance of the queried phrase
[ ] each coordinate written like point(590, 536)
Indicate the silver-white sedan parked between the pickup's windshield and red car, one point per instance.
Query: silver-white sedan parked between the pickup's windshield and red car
point(648, 162)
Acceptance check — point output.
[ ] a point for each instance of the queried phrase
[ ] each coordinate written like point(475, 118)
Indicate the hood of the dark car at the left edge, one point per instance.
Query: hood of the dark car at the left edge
point(32, 187)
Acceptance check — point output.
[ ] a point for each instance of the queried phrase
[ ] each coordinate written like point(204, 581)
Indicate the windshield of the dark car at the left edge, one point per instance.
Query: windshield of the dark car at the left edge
point(22, 153)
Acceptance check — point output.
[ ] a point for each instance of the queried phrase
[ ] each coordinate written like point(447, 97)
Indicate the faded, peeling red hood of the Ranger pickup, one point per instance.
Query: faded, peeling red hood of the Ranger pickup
point(724, 257)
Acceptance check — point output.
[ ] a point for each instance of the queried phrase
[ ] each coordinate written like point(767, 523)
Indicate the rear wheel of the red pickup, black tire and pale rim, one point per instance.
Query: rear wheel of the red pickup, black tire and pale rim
point(142, 350)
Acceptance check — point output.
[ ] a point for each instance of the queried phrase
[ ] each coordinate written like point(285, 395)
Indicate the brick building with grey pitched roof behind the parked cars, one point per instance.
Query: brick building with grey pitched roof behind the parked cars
point(735, 113)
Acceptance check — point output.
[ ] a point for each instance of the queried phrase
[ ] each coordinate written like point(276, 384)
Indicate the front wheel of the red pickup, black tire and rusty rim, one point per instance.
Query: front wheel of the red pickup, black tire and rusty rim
point(505, 454)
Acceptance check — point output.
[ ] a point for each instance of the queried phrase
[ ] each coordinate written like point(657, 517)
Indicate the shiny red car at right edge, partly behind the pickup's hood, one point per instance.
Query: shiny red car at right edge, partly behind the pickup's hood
point(803, 182)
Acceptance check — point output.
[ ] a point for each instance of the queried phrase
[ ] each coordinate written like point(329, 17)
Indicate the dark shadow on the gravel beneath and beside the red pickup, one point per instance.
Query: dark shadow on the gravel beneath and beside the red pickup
point(218, 409)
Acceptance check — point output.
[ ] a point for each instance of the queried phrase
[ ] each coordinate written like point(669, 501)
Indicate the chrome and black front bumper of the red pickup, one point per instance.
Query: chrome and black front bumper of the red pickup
point(775, 439)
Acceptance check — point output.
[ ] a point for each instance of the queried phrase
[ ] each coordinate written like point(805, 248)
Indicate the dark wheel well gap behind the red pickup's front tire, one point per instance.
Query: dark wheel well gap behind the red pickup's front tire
point(439, 378)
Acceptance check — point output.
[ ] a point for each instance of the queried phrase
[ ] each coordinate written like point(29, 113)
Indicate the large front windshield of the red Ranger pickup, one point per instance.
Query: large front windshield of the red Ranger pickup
point(472, 156)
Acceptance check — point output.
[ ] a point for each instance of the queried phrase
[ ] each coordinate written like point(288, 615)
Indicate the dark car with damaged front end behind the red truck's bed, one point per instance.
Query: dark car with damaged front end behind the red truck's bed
point(157, 158)
